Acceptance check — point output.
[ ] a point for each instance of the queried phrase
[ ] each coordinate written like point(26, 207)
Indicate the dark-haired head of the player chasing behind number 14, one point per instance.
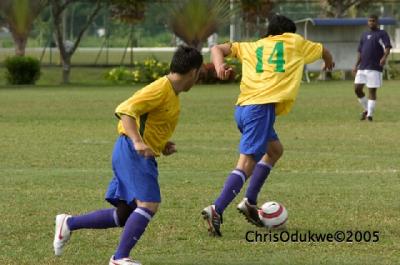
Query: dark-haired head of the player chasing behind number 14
point(186, 62)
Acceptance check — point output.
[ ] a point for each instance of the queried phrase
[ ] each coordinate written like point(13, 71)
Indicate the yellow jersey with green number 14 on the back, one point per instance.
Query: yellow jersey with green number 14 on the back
point(272, 69)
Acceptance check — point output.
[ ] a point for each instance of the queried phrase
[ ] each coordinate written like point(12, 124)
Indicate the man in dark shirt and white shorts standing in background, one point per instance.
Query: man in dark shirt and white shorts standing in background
point(373, 51)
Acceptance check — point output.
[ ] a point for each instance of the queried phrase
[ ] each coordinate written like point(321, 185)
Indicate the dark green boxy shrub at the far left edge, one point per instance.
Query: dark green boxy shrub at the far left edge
point(22, 70)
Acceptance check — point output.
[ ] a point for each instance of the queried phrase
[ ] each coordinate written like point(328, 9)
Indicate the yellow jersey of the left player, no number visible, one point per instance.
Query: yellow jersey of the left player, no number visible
point(156, 109)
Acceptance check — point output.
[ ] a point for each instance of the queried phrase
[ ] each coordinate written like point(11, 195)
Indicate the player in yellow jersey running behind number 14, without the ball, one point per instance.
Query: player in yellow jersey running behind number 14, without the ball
point(147, 120)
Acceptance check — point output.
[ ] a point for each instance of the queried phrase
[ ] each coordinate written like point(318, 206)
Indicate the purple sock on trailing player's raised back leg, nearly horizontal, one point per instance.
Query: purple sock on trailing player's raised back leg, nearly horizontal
point(105, 218)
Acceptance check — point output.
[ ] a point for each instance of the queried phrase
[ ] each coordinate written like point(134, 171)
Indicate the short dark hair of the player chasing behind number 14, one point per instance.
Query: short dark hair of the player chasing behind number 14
point(185, 59)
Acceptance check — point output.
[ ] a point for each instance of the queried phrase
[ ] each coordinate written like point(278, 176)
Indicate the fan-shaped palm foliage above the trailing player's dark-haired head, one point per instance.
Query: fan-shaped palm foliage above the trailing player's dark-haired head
point(193, 21)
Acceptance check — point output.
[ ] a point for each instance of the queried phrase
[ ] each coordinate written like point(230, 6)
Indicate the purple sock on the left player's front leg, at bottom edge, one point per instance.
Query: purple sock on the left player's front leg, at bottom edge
point(134, 228)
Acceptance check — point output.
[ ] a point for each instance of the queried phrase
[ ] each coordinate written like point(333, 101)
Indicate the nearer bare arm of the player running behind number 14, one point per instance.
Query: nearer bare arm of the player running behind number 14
point(132, 132)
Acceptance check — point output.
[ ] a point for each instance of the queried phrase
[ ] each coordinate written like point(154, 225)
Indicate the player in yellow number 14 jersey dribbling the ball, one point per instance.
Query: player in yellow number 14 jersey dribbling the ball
point(272, 68)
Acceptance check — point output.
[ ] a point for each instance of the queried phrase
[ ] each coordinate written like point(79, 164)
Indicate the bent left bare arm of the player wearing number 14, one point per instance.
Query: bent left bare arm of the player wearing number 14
point(218, 53)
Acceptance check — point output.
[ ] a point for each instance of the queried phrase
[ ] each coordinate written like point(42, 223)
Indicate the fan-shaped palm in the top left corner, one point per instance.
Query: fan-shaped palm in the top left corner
point(19, 16)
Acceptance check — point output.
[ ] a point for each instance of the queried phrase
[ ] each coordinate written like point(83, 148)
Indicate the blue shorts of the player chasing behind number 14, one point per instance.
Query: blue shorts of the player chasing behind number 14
point(135, 177)
